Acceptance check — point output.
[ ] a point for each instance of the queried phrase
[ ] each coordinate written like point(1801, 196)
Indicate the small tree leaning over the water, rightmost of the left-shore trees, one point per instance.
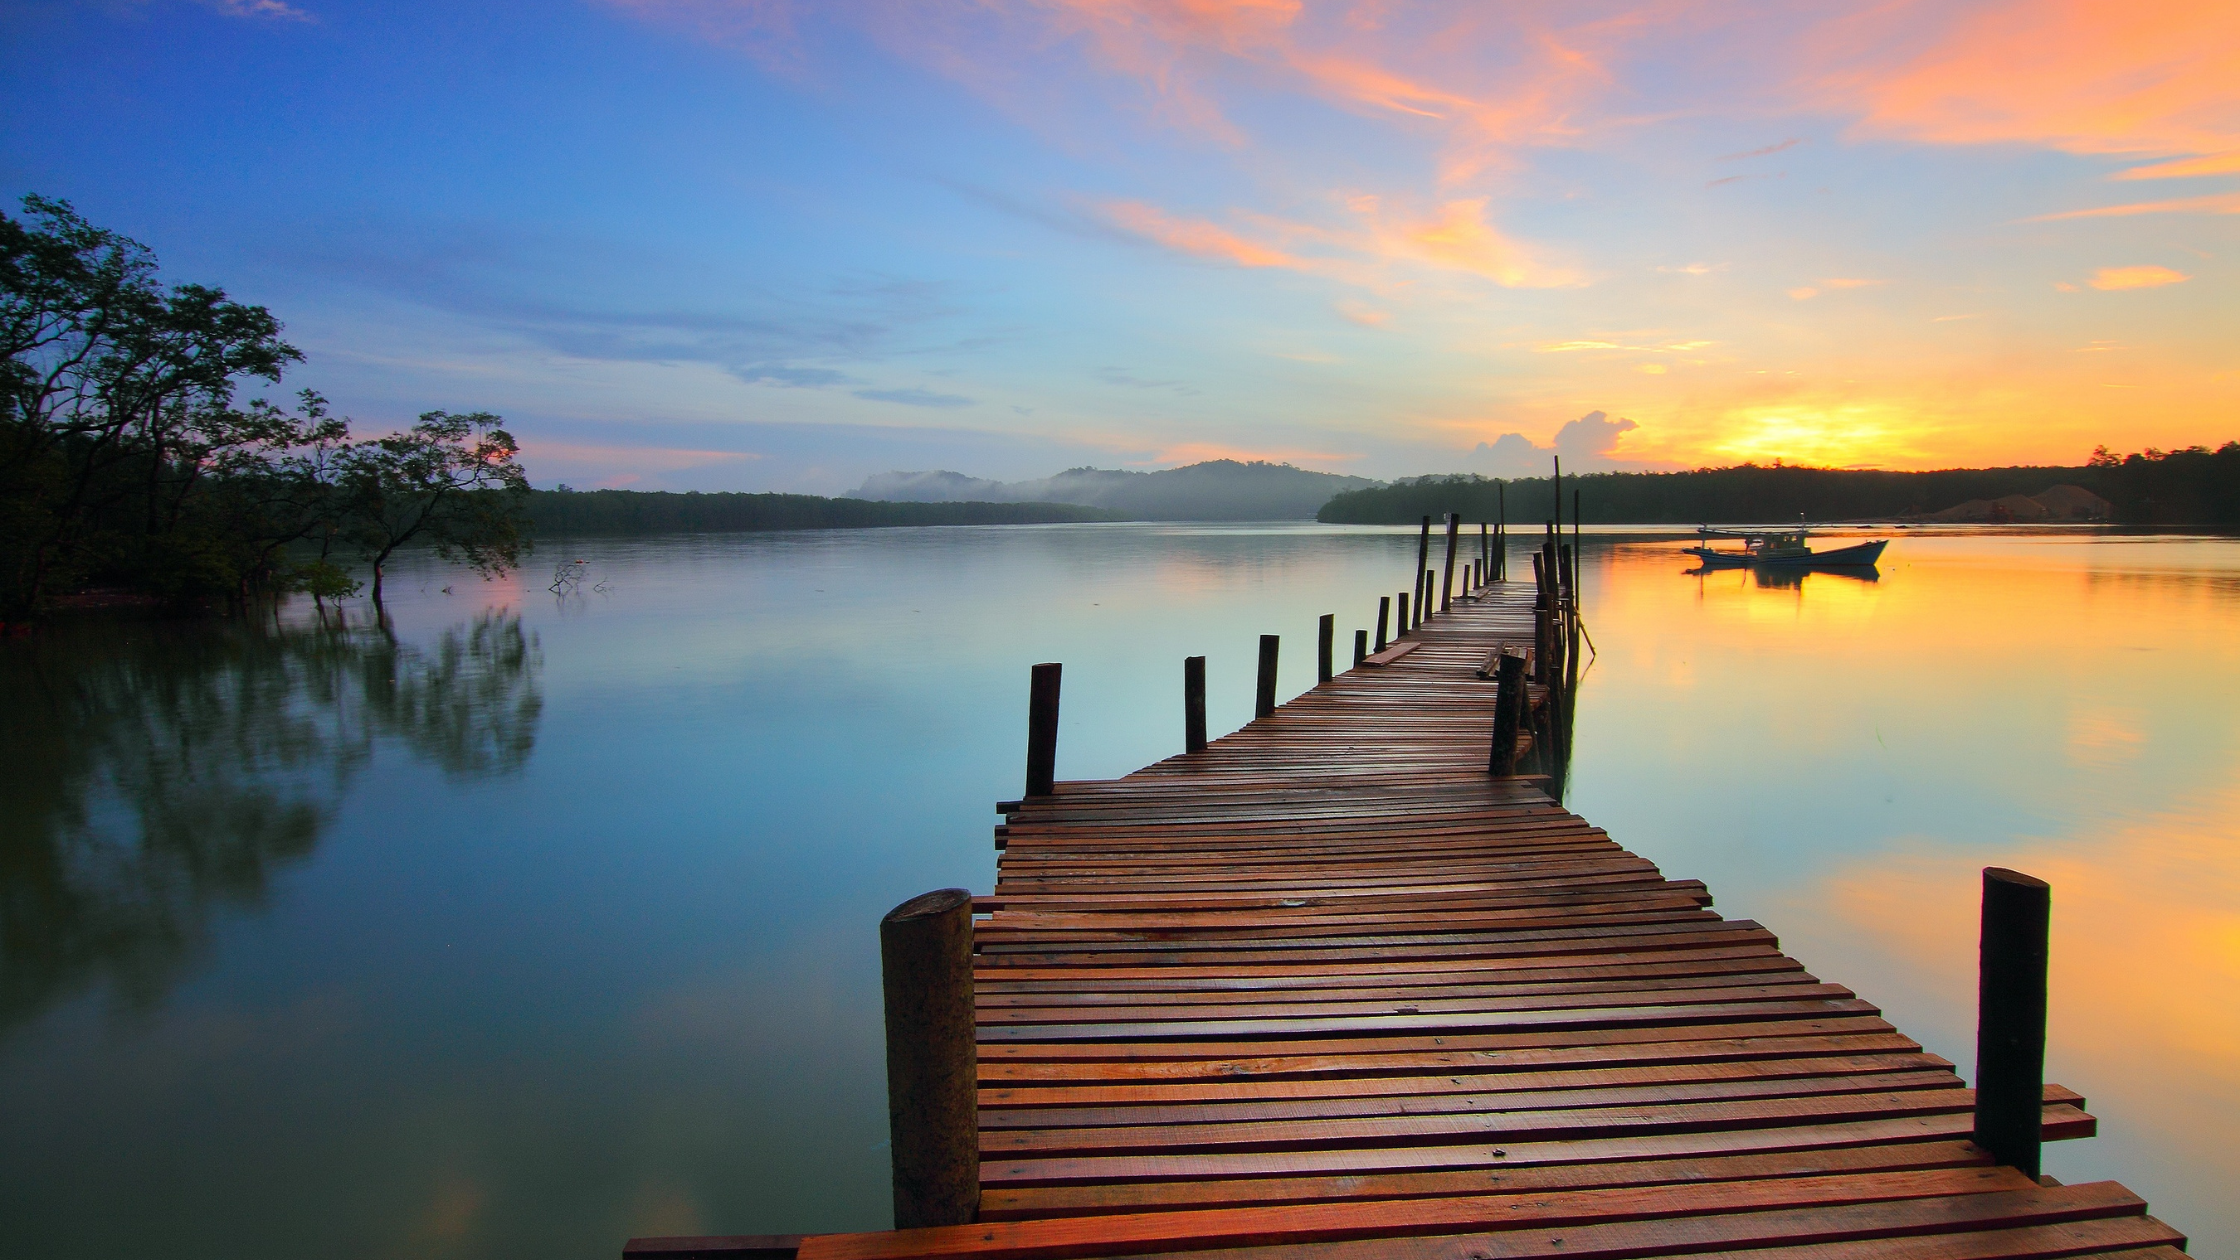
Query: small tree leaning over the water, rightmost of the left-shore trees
point(451, 483)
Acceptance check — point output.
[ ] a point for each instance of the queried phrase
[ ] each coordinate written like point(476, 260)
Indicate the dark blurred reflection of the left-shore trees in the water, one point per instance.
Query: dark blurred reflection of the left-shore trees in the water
point(160, 775)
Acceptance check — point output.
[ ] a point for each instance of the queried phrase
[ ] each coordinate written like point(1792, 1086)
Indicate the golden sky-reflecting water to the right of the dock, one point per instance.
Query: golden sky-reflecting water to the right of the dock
point(1842, 759)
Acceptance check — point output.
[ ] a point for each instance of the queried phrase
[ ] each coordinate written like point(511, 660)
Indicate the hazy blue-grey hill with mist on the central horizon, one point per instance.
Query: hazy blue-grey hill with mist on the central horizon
point(1220, 490)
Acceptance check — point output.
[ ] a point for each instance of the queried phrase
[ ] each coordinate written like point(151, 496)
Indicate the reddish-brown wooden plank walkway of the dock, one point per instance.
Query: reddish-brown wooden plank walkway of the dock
point(1329, 990)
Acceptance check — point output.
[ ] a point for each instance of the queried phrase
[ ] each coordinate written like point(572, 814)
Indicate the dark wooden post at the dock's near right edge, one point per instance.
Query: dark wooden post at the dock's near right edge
point(2010, 1017)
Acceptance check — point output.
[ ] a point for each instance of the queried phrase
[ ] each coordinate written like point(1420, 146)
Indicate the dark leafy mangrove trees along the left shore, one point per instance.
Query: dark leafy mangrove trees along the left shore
point(127, 461)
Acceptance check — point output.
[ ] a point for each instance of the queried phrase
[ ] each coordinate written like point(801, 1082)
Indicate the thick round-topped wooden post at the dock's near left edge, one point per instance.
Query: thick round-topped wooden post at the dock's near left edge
point(933, 1066)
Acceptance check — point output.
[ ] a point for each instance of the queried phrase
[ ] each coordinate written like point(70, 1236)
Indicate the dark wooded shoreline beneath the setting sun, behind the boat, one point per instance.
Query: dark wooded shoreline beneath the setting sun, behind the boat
point(2149, 488)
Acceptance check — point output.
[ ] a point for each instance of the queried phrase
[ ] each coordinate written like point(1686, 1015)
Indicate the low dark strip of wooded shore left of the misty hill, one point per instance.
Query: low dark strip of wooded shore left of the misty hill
point(666, 512)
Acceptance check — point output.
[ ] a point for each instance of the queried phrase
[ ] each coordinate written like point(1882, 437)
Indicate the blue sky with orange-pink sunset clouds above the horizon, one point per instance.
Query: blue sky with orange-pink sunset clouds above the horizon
point(765, 245)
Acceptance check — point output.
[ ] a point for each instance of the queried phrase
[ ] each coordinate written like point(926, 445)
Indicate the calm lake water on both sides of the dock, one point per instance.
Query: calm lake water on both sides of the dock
point(543, 923)
